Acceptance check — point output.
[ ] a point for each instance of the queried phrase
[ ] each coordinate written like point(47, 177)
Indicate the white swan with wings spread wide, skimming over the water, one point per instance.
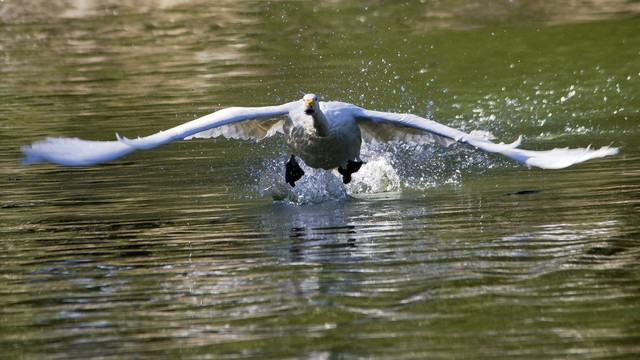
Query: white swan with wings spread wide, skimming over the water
point(324, 135)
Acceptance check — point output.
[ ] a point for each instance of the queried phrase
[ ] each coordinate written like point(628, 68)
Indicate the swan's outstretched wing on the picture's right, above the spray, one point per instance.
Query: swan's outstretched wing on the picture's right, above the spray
point(385, 126)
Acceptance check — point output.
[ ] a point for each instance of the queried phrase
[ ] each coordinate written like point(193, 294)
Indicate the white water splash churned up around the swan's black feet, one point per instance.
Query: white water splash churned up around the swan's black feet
point(388, 168)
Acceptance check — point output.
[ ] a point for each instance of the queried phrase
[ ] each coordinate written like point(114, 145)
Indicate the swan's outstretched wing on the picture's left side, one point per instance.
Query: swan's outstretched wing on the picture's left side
point(239, 122)
